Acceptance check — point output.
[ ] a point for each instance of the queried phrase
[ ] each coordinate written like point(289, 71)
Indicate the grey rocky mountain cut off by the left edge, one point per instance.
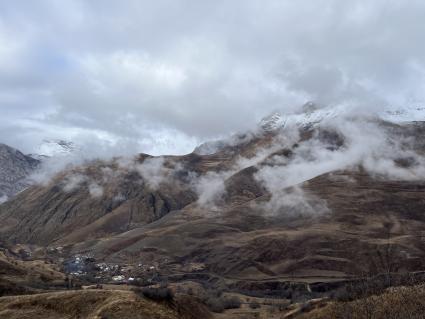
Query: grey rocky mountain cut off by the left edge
point(15, 167)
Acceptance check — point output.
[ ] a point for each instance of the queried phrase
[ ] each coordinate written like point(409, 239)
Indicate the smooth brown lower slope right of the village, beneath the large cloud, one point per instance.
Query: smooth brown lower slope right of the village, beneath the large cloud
point(243, 242)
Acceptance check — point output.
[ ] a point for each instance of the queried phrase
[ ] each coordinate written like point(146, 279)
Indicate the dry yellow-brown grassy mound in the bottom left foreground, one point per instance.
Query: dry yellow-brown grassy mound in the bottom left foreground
point(96, 304)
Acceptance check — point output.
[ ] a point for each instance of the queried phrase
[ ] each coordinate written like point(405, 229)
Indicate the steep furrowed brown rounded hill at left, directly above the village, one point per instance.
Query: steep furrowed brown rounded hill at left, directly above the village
point(101, 196)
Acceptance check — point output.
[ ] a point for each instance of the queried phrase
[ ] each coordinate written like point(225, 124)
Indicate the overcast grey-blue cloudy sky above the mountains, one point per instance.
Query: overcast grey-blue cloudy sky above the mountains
point(161, 76)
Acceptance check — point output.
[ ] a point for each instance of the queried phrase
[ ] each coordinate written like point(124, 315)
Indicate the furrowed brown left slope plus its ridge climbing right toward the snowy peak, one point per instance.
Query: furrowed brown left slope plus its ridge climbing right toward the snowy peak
point(110, 197)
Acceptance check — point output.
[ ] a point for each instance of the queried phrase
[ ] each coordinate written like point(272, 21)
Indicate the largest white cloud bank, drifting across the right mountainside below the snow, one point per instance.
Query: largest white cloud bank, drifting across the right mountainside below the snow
point(364, 143)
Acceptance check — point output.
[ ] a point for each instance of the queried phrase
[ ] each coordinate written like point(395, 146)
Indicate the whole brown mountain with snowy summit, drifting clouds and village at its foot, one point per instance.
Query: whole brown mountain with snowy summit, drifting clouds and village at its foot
point(297, 210)
